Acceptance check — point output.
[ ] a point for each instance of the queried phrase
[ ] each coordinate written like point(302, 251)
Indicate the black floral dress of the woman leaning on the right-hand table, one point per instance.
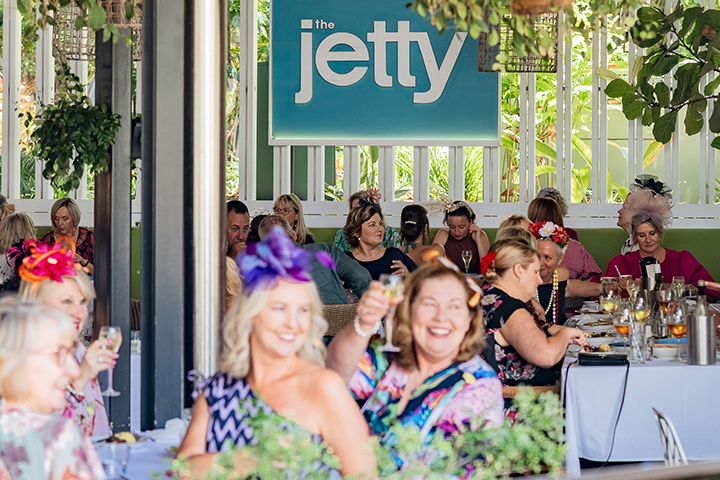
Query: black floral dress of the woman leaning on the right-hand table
point(497, 307)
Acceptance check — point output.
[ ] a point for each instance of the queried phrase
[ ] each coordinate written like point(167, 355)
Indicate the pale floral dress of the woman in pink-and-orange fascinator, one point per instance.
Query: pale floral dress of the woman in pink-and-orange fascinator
point(88, 412)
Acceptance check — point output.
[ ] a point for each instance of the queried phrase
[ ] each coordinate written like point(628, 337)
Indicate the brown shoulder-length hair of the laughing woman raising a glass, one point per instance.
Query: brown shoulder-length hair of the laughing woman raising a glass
point(470, 346)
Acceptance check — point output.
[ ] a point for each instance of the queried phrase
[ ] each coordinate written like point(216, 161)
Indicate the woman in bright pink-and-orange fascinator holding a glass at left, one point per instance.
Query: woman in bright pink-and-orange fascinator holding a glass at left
point(49, 274)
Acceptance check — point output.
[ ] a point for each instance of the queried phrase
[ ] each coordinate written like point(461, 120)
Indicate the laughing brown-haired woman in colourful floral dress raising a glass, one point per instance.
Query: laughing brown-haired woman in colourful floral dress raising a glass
point(436, 380)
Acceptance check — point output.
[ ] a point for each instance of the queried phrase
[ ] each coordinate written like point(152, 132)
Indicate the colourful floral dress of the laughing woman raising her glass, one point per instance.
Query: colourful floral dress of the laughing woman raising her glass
point(462, 391)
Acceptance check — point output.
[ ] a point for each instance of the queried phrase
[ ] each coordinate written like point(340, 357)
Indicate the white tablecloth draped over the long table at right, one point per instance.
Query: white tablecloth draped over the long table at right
point(689, 395)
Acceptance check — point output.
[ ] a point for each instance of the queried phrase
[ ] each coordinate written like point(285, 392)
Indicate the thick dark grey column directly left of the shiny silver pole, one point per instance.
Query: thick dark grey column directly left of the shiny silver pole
point(166, 305)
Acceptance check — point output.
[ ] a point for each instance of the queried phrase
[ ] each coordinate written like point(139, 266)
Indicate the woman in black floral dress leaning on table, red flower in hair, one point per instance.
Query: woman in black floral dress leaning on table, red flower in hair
point(524, 352)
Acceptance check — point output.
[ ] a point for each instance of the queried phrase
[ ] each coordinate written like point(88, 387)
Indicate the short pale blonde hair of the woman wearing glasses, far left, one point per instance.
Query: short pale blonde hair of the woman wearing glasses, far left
point(20, 323)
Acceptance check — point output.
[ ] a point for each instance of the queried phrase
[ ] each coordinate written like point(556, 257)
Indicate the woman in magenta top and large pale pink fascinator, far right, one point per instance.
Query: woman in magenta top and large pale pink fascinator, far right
point(652, 214)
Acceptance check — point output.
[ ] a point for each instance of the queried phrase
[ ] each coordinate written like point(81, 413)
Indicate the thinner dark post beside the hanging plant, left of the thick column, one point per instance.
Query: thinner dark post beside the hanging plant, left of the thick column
point(113, 77)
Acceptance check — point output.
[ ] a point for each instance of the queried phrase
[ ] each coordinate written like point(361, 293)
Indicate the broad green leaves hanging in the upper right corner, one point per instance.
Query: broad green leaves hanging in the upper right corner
point(683, 45)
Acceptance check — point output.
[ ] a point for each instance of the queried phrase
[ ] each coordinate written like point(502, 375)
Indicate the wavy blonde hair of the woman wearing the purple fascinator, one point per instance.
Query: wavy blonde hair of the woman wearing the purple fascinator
point(236, 359)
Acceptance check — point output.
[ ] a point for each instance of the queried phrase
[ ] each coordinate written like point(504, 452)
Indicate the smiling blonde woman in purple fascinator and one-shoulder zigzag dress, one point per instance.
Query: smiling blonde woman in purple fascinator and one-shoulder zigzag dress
point(273, 360)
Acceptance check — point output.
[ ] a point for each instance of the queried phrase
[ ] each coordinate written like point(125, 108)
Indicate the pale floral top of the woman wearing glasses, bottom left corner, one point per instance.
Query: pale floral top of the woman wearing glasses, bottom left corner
point(35, 446)
